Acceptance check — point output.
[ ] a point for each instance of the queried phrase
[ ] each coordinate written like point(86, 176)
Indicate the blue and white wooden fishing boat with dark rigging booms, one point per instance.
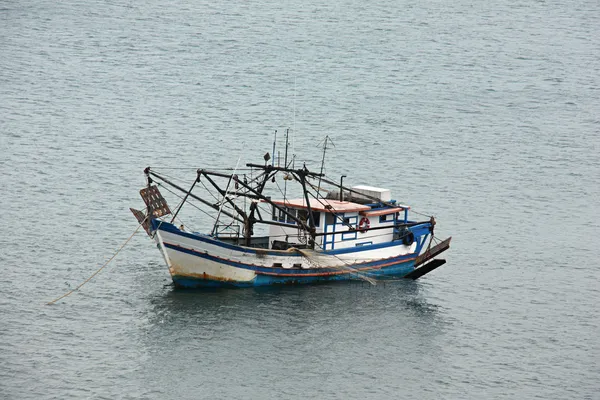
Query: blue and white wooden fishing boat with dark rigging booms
point(325, 232)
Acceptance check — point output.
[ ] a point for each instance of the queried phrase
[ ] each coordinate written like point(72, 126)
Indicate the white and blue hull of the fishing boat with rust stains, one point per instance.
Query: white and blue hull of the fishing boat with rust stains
point(197, 260)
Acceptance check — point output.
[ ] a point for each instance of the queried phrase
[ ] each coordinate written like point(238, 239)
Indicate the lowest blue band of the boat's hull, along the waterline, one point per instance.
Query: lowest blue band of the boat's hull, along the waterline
point(393, 271)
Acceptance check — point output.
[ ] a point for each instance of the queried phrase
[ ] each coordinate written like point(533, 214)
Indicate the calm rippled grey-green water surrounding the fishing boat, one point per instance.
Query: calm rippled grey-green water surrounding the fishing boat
point(485, 114)
